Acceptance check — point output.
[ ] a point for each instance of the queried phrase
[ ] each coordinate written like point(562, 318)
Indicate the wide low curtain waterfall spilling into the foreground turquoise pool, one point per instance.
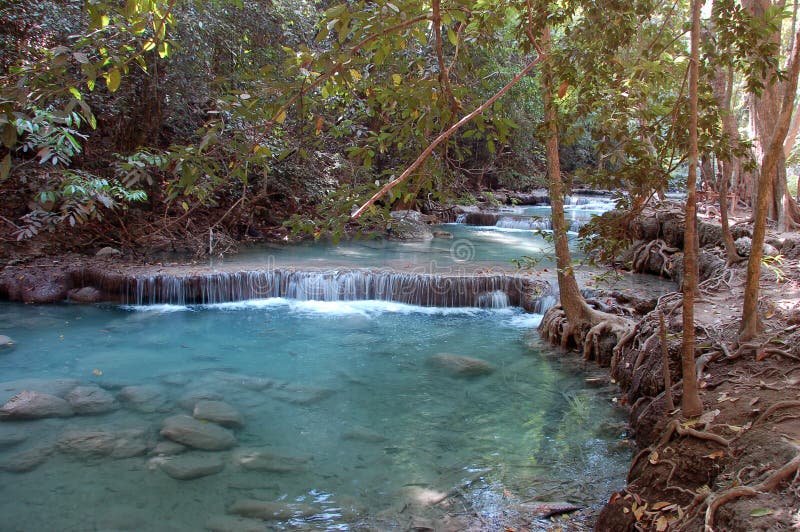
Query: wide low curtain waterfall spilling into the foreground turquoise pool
point(485, 291)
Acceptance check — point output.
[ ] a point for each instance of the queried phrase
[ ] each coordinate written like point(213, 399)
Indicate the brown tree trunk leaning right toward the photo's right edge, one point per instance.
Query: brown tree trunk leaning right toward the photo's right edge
point(751, 323)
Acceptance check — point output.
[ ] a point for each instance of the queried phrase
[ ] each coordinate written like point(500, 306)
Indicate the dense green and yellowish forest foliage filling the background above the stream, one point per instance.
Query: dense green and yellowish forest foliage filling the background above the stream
point(254, 111)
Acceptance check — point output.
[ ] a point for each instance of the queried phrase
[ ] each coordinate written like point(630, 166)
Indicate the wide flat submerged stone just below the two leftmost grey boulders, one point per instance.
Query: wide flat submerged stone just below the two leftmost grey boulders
point(97, 443)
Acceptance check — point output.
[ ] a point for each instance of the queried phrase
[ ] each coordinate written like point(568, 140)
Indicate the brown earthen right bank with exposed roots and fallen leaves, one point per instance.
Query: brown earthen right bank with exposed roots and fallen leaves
point(734, 468)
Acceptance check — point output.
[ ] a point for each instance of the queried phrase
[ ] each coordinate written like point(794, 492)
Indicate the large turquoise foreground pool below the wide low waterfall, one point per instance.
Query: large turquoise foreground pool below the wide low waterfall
point(351, 400)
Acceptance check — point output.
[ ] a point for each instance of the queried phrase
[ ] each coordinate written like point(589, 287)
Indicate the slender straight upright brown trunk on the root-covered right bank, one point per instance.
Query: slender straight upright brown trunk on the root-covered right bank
point(691, 405)
